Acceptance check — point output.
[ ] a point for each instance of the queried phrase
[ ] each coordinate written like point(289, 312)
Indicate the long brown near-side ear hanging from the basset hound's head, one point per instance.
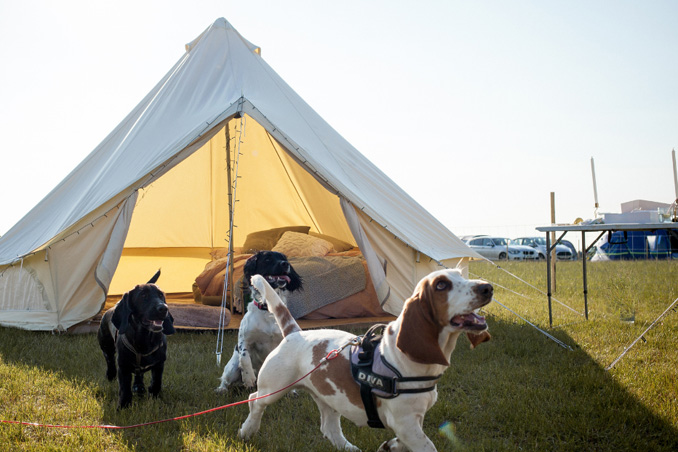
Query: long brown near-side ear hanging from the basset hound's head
point(421, 327)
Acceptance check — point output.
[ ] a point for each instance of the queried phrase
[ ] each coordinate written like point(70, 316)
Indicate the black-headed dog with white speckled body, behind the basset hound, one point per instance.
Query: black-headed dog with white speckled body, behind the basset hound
point(258, 333)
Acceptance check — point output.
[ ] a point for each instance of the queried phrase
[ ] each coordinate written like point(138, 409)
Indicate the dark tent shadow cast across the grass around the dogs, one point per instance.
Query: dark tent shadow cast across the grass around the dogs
point(519, 391)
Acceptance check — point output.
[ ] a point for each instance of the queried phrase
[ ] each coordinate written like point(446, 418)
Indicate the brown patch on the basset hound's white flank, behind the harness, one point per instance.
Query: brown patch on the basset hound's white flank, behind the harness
point(335, 373)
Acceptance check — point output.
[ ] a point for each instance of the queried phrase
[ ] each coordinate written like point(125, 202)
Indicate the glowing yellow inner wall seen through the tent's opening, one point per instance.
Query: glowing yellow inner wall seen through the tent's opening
point(179, 218)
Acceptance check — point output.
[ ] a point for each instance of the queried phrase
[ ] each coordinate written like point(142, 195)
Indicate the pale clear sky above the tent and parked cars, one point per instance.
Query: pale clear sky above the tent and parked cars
point(479, 109)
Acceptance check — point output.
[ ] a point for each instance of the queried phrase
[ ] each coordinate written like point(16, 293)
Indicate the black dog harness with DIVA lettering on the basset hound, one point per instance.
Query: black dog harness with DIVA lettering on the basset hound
point(377, 377)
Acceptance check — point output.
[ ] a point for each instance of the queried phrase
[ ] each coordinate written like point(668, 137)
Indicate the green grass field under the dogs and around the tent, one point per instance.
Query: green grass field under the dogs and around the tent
point(521, 391)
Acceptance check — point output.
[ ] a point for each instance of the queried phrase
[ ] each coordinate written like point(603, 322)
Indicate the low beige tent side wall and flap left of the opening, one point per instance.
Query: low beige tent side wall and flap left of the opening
point(64, 283)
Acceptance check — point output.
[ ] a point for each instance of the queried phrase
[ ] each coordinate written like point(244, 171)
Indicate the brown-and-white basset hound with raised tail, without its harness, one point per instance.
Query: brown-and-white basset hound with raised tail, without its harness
point(418, 343)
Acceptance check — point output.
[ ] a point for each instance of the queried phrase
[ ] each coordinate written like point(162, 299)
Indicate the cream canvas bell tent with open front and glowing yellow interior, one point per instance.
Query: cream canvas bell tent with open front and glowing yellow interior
point(157, 192)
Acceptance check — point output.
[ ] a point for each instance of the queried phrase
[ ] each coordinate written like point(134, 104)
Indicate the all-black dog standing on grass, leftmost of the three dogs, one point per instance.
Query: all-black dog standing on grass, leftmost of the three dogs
point(136, 327)
